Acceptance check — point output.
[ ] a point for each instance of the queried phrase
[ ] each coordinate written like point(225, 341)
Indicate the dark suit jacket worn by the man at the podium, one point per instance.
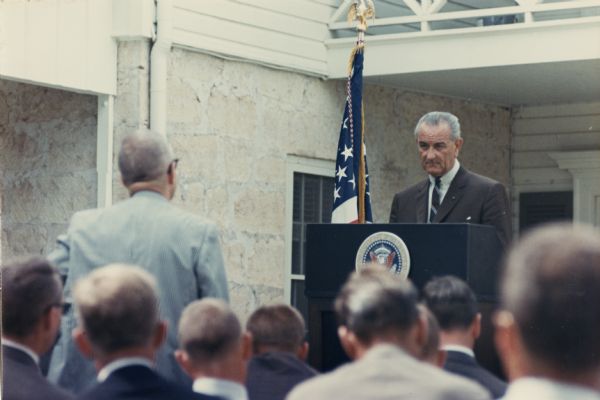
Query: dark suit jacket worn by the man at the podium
point(470, 198)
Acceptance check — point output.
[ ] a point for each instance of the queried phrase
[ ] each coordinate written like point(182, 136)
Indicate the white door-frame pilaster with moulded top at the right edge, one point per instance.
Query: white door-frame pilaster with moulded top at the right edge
point(585, 168)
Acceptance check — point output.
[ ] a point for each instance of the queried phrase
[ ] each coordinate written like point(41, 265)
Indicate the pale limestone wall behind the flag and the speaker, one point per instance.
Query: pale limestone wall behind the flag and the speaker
point(233, 124)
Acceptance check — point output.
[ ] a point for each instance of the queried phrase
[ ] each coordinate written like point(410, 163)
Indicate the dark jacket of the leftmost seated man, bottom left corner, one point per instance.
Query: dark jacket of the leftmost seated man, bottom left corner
point(23, 380)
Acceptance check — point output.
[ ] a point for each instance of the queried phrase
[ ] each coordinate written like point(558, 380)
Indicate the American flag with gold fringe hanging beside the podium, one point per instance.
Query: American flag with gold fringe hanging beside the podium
point(350, 182)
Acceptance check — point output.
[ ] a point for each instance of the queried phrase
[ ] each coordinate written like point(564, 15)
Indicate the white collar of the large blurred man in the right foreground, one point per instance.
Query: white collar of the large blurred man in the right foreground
point(541, 388)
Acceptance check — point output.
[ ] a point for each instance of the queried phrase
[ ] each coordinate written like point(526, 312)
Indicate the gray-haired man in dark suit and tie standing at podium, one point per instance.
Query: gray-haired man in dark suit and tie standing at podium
point(451, 193)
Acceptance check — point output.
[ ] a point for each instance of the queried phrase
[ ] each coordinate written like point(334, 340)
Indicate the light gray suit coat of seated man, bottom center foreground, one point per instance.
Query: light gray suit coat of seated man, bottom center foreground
point(386, 372)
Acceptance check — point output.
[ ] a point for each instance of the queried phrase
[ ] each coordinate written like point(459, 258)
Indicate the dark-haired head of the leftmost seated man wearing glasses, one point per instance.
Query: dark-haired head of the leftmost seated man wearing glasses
point(29, 289)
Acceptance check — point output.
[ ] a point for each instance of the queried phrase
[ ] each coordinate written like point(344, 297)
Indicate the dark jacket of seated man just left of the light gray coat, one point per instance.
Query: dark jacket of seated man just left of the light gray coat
point(272, 375)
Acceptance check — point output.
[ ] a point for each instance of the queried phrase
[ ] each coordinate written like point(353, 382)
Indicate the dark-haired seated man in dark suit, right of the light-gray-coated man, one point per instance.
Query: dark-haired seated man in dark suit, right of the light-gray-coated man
point(454, 304)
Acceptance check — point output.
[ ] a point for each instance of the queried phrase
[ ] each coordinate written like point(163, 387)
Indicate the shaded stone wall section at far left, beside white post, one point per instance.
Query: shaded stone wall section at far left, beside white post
point(47, 164)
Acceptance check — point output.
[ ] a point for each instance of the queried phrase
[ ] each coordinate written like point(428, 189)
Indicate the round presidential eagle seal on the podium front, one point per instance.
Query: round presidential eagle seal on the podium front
point(386, 249)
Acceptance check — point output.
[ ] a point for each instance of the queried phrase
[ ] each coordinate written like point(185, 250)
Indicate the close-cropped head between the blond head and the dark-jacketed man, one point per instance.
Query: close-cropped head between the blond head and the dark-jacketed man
point(208, 331)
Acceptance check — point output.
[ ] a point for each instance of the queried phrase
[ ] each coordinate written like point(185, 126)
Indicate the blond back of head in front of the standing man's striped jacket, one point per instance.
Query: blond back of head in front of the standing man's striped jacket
point(117, 306)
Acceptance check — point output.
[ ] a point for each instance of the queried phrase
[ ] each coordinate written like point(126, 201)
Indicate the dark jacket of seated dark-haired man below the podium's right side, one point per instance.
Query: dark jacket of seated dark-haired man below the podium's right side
point(465, 365)
